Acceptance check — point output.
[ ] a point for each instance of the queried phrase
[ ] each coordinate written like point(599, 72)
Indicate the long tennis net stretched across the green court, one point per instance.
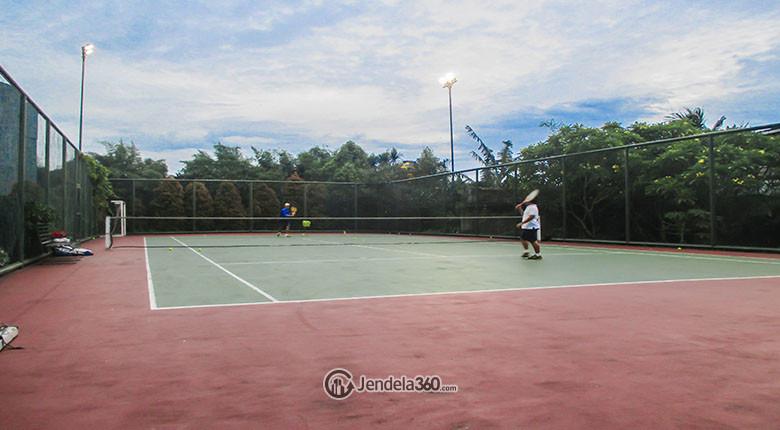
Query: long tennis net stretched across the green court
point(238, 231)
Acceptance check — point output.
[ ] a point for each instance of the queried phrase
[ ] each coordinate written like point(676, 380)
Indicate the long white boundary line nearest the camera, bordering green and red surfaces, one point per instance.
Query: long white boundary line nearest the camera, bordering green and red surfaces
point(496, 290)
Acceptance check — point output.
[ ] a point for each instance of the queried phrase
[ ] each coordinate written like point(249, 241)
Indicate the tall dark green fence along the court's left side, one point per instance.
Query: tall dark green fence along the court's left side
point(43, 178)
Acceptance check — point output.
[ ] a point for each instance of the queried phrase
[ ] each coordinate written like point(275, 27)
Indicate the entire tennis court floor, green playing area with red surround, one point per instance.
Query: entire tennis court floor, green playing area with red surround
point(237, 330)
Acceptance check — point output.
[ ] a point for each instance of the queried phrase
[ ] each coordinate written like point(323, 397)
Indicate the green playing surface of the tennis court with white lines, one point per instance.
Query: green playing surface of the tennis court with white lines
point(216, 270)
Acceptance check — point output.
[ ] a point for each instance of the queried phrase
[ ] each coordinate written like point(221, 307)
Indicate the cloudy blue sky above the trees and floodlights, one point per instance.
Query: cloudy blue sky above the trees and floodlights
point(177, 77)
